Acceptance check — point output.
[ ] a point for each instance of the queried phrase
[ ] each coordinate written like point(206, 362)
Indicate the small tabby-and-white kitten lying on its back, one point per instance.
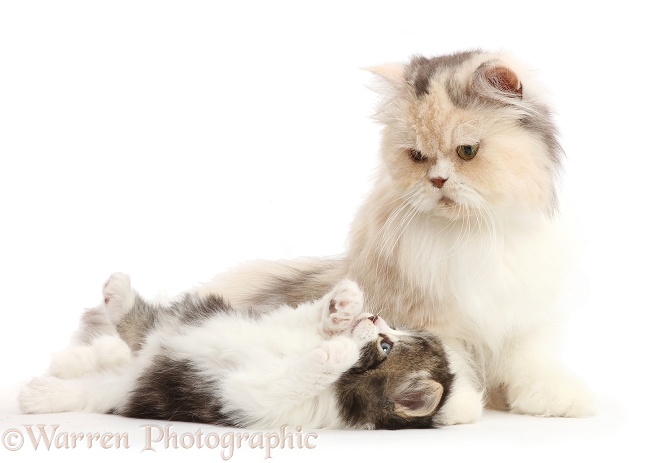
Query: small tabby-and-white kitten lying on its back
point(324, 364)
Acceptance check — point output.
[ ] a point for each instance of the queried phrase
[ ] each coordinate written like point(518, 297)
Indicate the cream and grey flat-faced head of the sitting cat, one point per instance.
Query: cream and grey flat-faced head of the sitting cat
point(466, 133)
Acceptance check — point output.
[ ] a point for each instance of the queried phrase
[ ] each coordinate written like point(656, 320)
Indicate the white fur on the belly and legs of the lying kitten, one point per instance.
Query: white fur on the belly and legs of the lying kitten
point(273, 371)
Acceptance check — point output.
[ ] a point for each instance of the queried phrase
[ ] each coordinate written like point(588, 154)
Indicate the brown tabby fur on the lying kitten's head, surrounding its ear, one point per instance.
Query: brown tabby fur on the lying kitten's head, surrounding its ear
point(363, 392)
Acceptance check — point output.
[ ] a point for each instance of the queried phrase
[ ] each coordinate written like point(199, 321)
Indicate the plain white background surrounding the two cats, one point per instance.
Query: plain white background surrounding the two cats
point(174, 140)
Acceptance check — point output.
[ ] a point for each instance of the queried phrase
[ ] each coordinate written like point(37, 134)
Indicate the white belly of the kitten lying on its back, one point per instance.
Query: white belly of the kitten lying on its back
point(247, 360)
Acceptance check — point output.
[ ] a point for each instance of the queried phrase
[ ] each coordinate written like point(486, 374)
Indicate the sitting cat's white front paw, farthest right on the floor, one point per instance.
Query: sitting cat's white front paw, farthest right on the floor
point(565, 397)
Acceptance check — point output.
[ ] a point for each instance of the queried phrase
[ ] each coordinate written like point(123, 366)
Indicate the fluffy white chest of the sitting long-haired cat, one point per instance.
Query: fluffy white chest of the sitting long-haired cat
point(485, 286)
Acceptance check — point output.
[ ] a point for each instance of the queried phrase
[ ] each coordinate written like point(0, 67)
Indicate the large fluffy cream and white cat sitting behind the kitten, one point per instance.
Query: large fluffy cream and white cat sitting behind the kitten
point(460, 234)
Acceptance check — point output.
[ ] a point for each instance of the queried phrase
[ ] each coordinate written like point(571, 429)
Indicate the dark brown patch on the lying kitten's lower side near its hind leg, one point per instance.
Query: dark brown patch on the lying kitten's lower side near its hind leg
point(174, 390)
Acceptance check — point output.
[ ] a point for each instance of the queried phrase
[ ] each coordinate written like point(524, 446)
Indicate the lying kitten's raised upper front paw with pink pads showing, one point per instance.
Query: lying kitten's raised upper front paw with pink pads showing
point(345, 303)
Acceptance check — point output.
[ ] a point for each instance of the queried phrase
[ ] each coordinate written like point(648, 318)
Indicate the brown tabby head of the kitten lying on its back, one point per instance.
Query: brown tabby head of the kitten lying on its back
point(401, 379)
